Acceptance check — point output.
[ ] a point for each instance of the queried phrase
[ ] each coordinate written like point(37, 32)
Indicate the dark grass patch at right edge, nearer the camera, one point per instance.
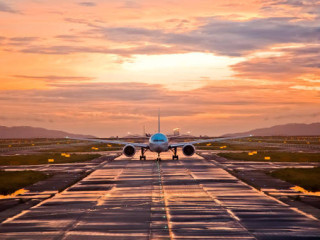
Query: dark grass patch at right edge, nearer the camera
point(308, 179)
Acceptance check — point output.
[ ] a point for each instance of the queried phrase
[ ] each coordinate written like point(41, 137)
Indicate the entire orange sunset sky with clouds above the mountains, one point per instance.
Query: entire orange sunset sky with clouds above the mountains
point(104, 67)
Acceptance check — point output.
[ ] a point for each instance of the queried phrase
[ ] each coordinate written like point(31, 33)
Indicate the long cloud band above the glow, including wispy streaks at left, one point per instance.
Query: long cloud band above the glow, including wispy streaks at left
point(219, 36)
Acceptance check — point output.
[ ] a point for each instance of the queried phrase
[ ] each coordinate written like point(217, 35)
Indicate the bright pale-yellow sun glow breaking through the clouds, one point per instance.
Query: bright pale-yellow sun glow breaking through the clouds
point(185, 71)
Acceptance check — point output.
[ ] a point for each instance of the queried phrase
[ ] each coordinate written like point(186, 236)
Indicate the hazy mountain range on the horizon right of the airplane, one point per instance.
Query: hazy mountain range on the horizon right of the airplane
point(291, 129)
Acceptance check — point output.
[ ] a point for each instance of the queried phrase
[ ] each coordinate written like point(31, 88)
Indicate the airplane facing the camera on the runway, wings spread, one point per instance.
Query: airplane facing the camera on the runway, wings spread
point(159, 143)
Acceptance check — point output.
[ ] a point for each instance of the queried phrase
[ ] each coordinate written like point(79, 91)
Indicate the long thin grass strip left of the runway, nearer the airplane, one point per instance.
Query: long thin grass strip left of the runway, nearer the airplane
point(35, 159)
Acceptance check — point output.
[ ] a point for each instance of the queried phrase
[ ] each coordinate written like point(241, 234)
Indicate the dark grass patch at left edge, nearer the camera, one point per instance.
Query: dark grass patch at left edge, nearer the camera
point(12, 181)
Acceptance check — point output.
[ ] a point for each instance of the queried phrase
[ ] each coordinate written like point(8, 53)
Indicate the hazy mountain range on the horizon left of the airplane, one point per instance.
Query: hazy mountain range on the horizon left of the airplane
point(33, 132)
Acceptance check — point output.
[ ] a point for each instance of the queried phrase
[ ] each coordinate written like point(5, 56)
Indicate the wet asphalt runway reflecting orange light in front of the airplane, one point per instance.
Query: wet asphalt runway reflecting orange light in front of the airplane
point(187, 199)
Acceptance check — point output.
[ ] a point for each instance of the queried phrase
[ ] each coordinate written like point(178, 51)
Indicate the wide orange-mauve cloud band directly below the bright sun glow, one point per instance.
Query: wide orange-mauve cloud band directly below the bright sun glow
point(151, 93)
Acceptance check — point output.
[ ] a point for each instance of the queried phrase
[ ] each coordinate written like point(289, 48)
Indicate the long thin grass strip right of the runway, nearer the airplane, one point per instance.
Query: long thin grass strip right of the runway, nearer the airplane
point(274, 156)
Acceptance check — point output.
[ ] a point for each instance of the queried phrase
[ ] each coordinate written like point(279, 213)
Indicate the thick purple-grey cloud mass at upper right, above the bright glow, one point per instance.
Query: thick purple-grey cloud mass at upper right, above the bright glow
point(237, 38)
